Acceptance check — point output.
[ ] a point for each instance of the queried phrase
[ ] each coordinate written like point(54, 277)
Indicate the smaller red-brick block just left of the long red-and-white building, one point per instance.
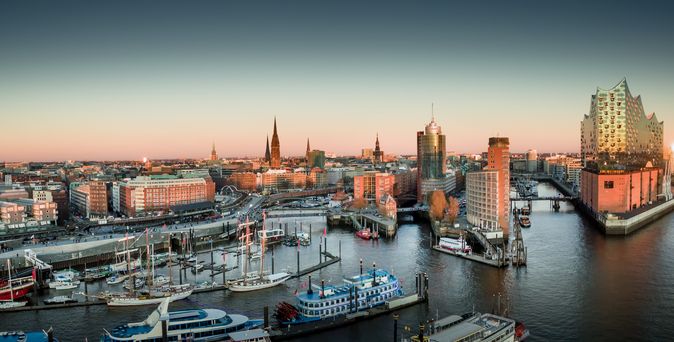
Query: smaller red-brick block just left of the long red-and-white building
point(90, 199)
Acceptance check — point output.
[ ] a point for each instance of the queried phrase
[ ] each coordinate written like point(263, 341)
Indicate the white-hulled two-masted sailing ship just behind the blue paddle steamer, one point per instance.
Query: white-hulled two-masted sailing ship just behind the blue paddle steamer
point(262, 280)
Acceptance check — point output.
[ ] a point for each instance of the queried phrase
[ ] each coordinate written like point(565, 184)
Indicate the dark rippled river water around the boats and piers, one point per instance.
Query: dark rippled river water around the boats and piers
point(578, 284)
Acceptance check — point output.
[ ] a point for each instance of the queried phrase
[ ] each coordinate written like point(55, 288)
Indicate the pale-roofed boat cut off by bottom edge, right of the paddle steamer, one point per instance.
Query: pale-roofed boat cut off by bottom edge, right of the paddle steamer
point(471, 327)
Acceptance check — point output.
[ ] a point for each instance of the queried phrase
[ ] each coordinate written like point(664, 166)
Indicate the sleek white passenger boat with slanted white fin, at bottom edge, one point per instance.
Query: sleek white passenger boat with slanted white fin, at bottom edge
point(197, 325)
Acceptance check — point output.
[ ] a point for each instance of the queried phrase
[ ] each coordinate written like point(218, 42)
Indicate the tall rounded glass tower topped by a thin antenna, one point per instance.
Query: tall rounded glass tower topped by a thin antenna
point(431, 162)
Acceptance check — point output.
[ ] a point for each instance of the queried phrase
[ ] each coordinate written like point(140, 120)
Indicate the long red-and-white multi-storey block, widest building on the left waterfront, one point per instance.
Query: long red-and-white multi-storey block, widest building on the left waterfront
point(146, 194)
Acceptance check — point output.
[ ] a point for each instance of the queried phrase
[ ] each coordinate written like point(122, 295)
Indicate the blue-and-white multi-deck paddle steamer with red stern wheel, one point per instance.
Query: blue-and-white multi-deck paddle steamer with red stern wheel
point(358, 293)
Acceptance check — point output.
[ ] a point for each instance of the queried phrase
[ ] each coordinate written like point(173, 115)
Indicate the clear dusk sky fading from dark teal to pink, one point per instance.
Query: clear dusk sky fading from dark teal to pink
point(90, 80)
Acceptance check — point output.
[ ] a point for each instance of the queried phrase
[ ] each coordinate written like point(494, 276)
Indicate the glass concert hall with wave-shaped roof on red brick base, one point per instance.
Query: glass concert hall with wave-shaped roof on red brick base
point(622, 153)
